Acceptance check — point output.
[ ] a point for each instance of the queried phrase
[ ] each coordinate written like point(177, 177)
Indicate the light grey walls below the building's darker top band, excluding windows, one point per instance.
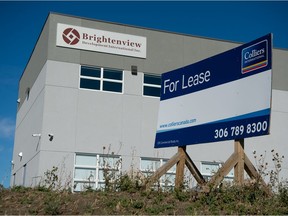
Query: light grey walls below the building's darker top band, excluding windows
point(86, 121)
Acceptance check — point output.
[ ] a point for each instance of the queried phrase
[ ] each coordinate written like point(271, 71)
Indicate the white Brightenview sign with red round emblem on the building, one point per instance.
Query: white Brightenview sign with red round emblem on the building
point(77, 37)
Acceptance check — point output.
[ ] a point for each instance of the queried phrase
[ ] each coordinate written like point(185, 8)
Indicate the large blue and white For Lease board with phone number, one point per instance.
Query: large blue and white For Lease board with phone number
point(225, 97)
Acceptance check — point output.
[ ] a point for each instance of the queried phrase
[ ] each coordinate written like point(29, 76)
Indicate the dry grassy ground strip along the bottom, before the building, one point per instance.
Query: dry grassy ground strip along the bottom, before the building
point(230, 200)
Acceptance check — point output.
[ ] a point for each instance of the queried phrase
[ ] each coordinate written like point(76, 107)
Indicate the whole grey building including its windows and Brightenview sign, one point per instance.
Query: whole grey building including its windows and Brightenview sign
point(89, 99)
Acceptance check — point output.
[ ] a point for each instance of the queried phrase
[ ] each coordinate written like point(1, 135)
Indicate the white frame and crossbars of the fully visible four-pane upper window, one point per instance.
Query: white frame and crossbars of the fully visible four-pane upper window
point(101, 79)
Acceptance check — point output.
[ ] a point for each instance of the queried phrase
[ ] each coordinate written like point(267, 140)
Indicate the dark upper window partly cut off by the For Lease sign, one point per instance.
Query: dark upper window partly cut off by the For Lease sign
point(151, 85)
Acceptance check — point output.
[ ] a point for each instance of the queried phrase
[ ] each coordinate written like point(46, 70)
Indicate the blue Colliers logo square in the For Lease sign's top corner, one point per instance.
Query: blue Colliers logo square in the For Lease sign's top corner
point(255, 57)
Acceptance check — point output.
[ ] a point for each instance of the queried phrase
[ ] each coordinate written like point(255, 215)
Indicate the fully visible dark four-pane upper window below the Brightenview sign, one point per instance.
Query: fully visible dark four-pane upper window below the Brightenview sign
point(101, 79)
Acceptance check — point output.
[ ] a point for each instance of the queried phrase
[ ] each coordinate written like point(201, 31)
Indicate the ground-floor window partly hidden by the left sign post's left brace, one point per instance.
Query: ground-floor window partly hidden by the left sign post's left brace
point(149, 165)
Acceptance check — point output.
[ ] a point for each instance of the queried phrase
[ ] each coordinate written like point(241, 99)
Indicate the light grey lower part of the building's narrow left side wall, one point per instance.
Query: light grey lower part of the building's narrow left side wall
point(29, 121)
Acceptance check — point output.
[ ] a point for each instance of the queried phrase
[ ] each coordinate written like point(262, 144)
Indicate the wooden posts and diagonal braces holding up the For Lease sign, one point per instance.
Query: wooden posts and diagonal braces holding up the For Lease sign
point(238, 160)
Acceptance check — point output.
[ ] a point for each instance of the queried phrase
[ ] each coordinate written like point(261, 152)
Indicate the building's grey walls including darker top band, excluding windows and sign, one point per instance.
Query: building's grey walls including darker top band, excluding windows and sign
point(86, 121)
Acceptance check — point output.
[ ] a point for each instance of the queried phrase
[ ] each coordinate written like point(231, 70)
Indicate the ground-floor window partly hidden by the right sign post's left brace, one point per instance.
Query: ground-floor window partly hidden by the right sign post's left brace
point(208, 169)
